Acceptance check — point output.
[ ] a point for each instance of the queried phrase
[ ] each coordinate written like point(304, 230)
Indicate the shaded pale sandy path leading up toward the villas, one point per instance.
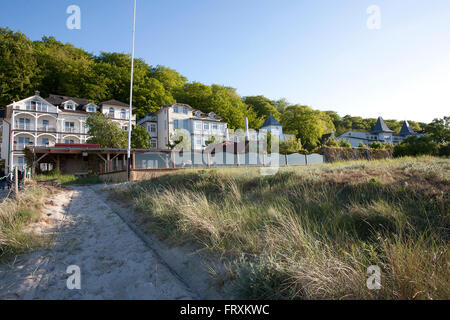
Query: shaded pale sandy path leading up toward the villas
point(114, 262)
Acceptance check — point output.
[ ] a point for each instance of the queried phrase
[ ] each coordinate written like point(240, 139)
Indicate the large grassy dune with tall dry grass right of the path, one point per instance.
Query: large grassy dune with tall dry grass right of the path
point(311, 232)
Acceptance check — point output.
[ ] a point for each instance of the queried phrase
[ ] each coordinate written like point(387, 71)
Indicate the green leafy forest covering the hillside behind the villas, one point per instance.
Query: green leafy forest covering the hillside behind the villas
point(51, 66)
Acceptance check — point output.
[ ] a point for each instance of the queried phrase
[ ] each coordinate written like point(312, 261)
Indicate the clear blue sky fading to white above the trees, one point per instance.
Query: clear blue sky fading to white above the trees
point(318, 53)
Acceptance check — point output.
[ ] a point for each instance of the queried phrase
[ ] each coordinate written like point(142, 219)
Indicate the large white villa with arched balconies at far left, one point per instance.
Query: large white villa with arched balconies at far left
point(36, 121)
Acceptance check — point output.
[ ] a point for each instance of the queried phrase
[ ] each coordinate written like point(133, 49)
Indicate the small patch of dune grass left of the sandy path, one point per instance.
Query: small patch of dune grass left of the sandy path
point(15, 215)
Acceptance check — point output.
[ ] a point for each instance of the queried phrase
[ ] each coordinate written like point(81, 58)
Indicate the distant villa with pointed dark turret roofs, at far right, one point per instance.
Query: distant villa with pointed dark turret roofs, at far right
point(380, 133)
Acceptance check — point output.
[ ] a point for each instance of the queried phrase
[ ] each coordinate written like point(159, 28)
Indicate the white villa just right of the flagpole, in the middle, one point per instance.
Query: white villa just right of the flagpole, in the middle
point(164, 124)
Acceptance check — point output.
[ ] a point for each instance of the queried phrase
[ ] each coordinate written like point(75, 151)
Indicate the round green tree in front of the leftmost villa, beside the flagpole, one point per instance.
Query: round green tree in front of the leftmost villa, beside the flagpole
point(105, 132)
